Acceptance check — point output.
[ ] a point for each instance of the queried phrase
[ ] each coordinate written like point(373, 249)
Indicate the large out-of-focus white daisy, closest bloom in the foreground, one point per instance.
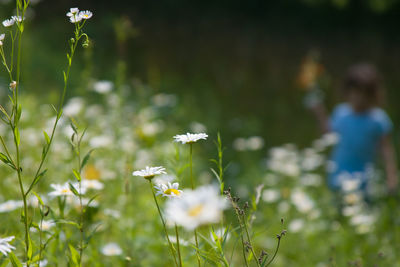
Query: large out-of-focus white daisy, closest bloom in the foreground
point(201, 206)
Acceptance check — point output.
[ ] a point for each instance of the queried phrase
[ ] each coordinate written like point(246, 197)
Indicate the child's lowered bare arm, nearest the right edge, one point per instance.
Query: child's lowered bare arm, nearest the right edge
point(389, 160)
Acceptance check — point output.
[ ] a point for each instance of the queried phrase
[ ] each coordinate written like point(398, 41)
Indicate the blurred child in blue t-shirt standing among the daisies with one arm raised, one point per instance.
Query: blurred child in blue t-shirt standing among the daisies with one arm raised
point(362, 127)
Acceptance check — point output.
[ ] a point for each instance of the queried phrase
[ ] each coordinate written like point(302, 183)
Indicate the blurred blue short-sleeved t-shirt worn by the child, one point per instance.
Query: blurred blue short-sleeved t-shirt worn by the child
point(359, 136)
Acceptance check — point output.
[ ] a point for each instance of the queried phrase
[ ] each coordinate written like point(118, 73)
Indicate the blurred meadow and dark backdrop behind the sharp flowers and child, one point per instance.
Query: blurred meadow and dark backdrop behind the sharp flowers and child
point(168, 67)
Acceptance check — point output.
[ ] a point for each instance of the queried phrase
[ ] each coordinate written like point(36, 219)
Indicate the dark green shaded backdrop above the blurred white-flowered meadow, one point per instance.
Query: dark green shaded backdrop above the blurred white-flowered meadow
point(232, 63)
